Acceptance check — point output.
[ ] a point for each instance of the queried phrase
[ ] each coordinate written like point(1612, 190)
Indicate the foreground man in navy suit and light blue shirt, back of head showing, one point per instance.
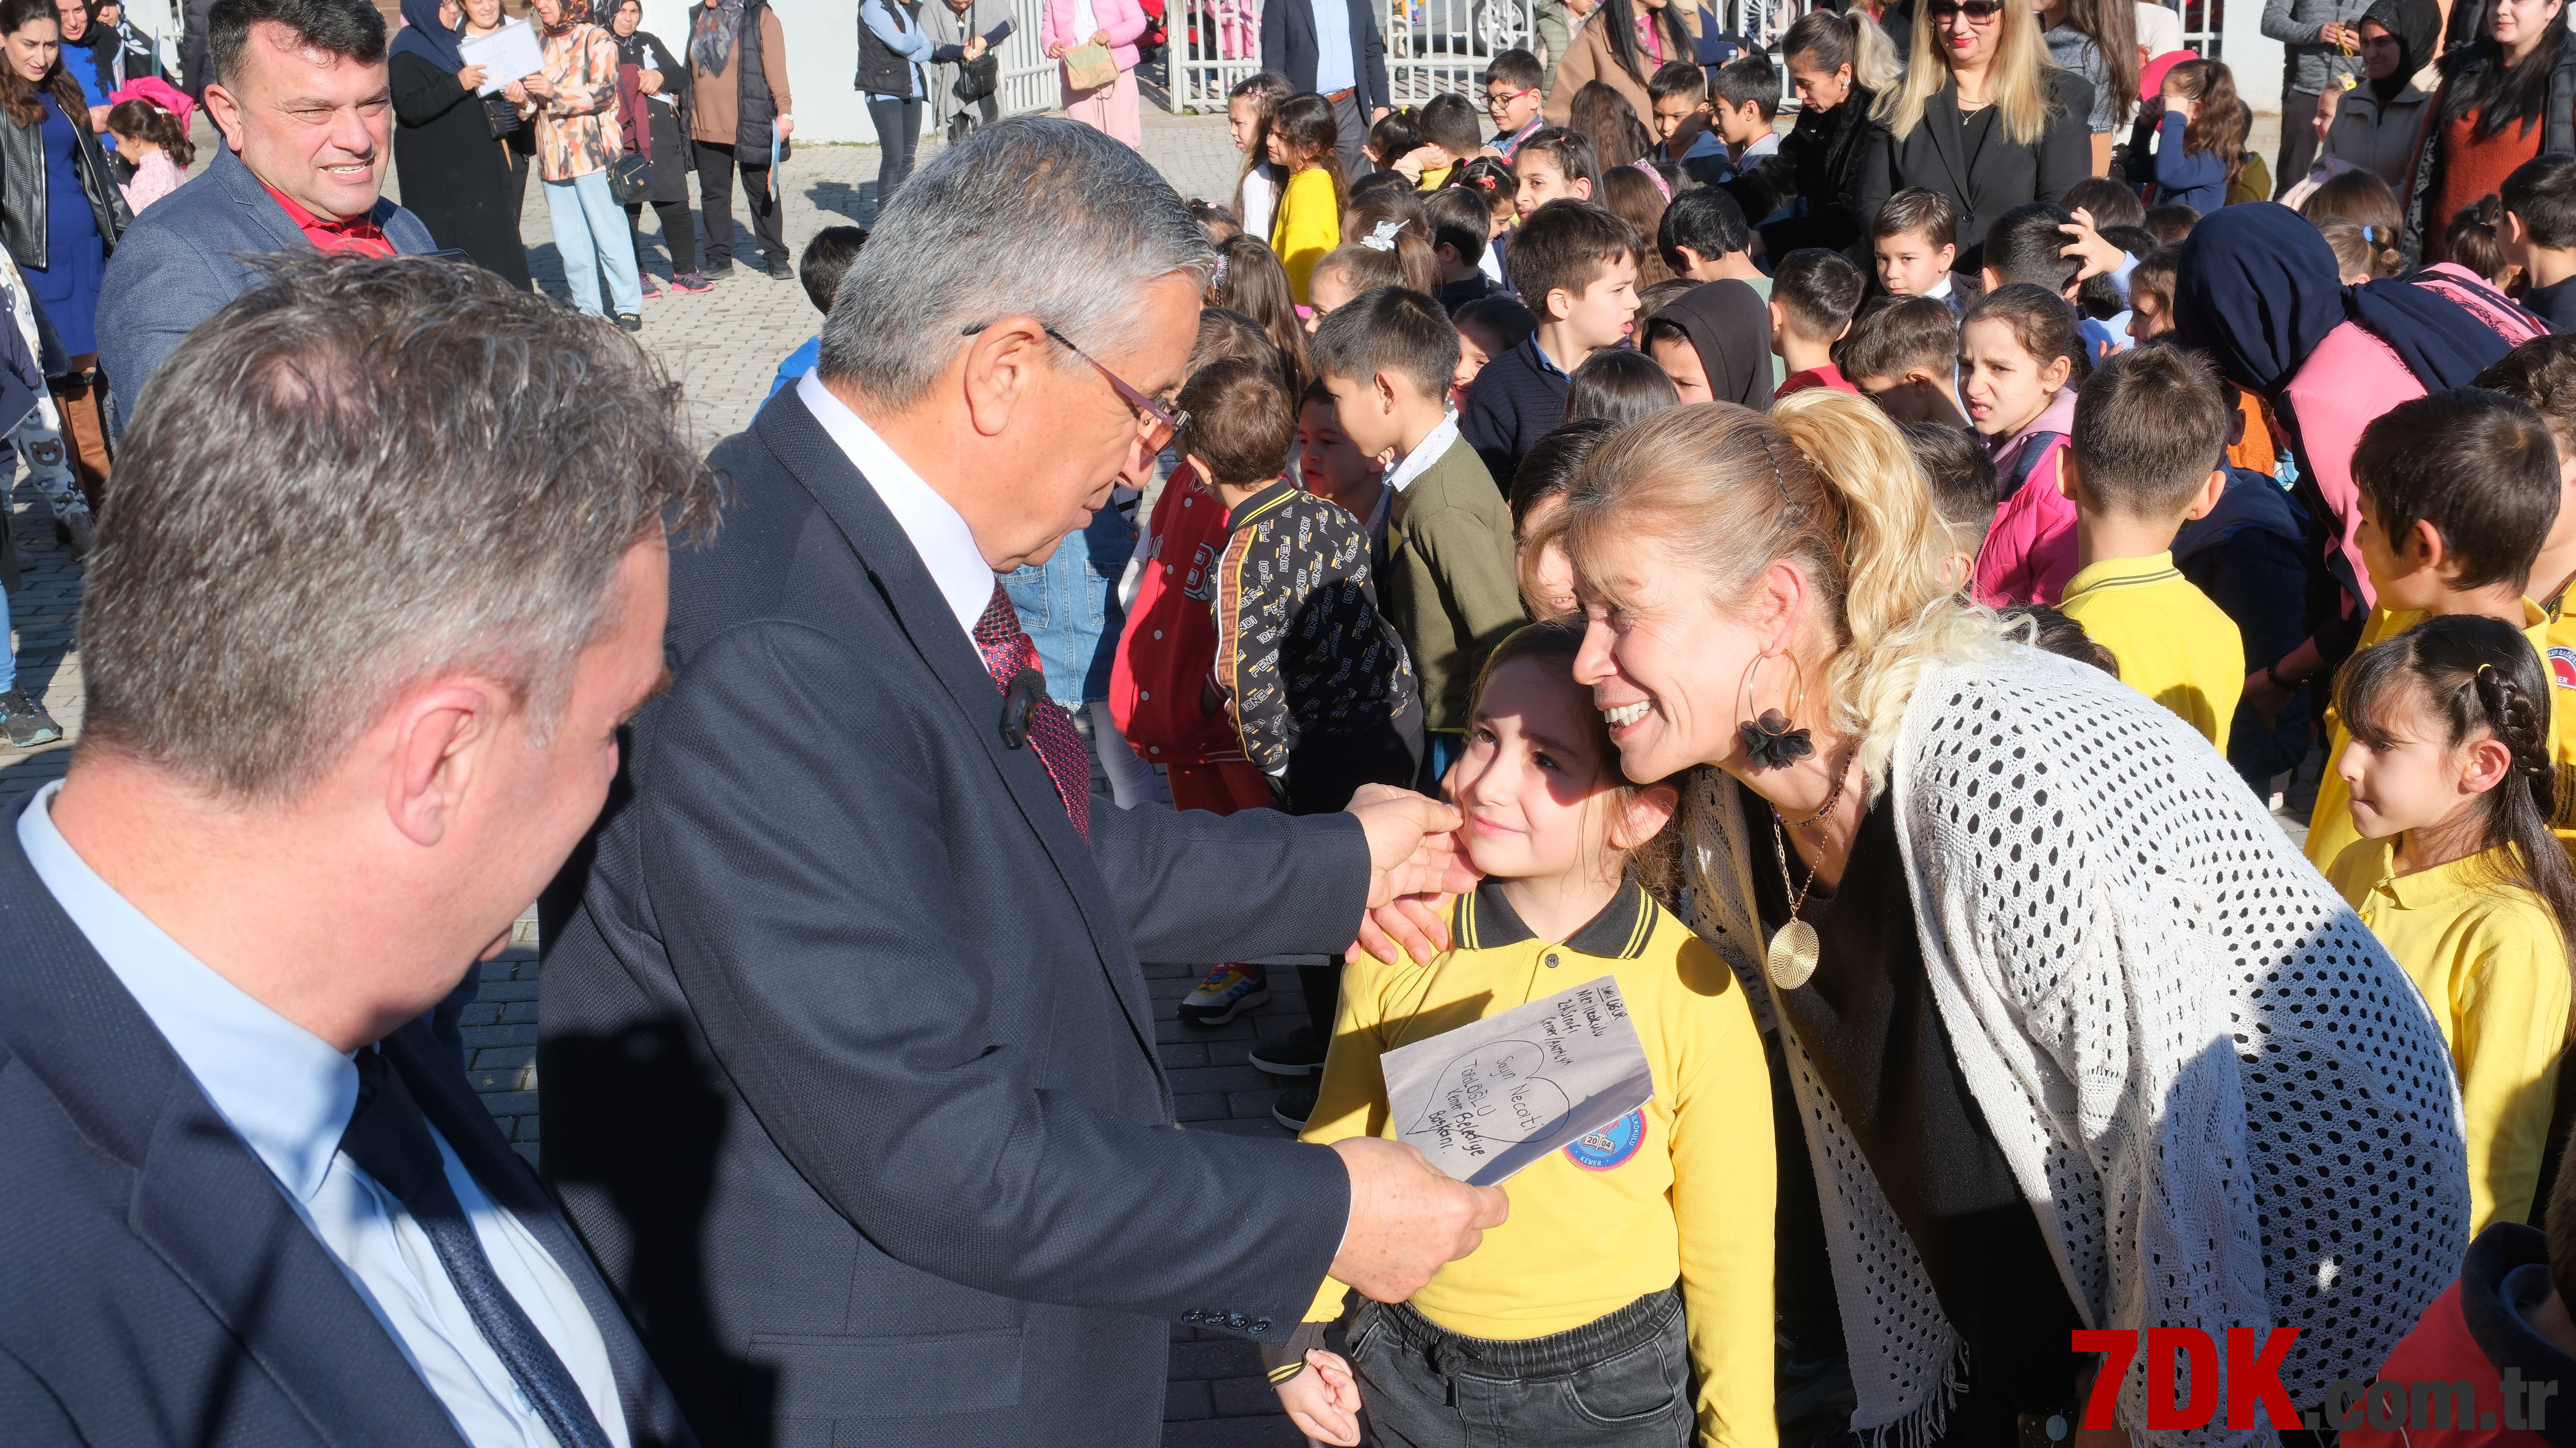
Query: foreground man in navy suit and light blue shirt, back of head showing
point(249, 1197)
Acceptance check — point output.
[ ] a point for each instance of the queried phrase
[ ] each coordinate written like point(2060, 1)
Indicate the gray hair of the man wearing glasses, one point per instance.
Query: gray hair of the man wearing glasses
point(1029, 218)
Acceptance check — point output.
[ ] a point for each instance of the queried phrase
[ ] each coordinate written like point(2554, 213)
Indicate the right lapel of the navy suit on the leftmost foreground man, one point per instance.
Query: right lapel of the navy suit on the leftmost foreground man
point(444, 1096)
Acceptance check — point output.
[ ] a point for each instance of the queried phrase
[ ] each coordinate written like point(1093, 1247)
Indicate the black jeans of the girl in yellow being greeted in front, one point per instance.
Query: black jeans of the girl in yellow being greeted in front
point(1616, 1382)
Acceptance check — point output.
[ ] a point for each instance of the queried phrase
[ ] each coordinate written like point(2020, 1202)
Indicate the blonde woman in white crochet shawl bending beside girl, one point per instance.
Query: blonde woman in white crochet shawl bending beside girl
point(2070, 1032)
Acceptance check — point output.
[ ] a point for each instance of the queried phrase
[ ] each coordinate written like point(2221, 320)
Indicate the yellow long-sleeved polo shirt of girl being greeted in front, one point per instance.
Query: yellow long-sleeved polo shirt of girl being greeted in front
point(1681, 1189)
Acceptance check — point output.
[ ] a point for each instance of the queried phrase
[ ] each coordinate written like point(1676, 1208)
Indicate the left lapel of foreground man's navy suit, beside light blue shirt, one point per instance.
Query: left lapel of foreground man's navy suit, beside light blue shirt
point(202, 1199)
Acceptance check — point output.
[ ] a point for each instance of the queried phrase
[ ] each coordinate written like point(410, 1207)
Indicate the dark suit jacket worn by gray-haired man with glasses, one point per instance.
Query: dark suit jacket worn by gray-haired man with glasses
point(849, 1058)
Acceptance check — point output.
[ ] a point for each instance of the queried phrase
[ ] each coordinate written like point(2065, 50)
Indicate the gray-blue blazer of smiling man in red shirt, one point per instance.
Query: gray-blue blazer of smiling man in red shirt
point(189, 256)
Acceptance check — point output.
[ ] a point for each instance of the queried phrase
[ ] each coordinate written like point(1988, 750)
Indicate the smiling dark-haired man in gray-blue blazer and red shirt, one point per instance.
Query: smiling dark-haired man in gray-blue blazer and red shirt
point(305, 110)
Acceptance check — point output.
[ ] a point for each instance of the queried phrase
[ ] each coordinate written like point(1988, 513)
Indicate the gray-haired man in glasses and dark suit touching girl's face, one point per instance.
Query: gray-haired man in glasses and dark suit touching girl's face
point(849, 1055)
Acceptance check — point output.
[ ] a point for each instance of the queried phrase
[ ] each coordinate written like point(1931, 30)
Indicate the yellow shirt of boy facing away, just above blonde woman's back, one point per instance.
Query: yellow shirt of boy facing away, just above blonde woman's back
point(2170, 640)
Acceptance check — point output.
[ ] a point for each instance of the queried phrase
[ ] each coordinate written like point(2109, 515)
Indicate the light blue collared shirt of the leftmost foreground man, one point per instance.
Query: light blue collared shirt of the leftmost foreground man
point(287, 1096)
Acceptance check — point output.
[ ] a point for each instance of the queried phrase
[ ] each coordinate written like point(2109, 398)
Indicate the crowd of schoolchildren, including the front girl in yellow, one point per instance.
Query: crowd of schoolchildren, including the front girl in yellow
point(1400, 377)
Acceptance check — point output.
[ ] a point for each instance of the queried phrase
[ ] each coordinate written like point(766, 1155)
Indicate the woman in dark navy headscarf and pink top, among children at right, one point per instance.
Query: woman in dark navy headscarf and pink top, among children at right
point(2260, 295)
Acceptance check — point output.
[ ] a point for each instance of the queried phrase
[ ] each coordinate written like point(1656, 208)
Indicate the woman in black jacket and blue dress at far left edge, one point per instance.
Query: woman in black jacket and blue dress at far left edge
point(61, 215)
